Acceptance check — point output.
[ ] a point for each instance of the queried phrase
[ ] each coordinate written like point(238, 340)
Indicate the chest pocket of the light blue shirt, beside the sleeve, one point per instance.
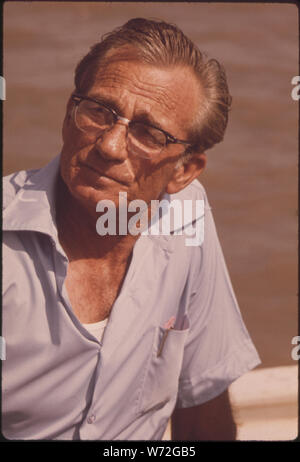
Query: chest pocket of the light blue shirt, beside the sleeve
point(161, 375)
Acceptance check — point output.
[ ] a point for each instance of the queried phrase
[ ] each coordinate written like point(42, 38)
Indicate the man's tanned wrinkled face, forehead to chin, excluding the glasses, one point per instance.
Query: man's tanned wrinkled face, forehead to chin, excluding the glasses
point(97, 170)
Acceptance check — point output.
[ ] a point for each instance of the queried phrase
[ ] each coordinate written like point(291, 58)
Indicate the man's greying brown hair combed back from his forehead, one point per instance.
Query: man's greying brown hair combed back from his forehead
point(162, 44)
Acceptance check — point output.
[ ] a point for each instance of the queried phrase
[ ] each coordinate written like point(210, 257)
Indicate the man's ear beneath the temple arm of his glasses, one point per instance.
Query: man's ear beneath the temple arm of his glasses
point(185, 173)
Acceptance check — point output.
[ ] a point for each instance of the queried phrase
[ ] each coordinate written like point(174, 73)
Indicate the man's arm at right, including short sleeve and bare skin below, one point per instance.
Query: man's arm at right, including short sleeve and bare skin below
point(218, 348)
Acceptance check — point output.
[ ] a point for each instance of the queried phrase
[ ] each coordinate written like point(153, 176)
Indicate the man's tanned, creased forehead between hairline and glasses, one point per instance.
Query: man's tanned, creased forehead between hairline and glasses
point(173, 88)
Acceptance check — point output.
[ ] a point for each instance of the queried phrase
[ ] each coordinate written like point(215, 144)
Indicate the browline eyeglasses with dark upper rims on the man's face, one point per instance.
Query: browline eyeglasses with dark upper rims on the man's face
point(95, 119)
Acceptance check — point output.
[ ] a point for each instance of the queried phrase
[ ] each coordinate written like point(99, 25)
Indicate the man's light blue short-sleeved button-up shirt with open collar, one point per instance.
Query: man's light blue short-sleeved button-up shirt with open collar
point(59, 381)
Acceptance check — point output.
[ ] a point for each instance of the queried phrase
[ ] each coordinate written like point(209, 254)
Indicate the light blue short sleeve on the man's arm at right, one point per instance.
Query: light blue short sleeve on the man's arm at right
point(218, 349)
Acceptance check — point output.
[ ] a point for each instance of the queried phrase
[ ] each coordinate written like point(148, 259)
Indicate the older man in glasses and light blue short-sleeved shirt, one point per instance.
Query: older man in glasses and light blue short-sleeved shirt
point(108, 336)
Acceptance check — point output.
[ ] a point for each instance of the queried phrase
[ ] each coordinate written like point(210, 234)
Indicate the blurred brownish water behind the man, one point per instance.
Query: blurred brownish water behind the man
point(251, 178)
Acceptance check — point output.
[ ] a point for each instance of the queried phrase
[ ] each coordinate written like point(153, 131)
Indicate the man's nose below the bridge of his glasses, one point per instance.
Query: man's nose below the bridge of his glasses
point(112, 145)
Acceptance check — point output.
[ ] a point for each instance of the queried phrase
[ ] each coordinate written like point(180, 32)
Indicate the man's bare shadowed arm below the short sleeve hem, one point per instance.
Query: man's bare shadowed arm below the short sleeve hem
point(210, 421)
